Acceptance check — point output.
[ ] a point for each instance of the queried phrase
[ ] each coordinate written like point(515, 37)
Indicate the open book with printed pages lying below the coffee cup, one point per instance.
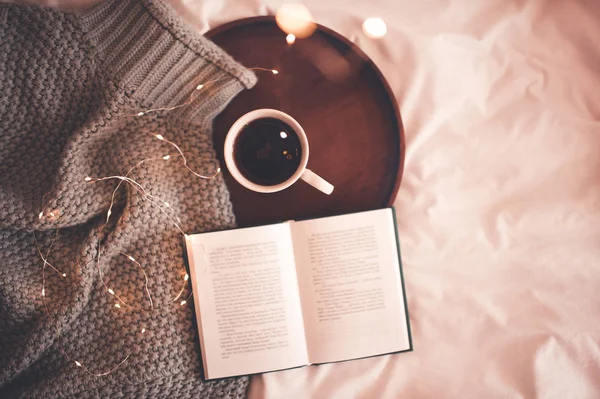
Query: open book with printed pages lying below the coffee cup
point(297, 293)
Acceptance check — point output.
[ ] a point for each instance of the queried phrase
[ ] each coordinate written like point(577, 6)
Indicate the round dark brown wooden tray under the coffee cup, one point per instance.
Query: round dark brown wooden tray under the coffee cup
point(342, 101)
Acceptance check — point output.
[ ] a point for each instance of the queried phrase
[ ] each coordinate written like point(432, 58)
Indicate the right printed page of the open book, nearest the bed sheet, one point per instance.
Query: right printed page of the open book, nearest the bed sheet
point(349, 276)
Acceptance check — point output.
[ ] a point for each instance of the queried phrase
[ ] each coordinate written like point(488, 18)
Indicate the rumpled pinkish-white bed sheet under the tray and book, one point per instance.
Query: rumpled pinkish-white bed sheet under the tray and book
point(499, 208)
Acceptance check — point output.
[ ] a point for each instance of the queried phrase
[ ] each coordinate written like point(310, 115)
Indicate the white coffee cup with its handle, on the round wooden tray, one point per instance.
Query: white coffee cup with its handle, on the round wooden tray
point(301, 173)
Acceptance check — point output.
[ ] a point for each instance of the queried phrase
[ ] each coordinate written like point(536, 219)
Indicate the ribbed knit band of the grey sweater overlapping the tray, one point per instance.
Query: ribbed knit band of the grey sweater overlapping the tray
point(143, 45)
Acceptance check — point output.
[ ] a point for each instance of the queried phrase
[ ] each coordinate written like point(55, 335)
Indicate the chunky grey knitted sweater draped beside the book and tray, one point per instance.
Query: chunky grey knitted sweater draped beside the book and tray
point(67, 84)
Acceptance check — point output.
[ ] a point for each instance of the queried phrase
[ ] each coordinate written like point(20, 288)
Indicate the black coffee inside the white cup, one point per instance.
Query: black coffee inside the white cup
point(267, 151)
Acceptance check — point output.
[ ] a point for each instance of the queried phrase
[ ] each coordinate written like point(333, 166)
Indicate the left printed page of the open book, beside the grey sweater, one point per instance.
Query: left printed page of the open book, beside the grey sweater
point(247, 300)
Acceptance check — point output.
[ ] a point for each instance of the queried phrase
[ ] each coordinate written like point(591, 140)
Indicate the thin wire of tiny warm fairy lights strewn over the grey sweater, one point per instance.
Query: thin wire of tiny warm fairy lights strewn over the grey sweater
point(163, 207)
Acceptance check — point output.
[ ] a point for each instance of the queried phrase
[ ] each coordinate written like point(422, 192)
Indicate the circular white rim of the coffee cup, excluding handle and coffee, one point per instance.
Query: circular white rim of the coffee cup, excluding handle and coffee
point(234, 131)
